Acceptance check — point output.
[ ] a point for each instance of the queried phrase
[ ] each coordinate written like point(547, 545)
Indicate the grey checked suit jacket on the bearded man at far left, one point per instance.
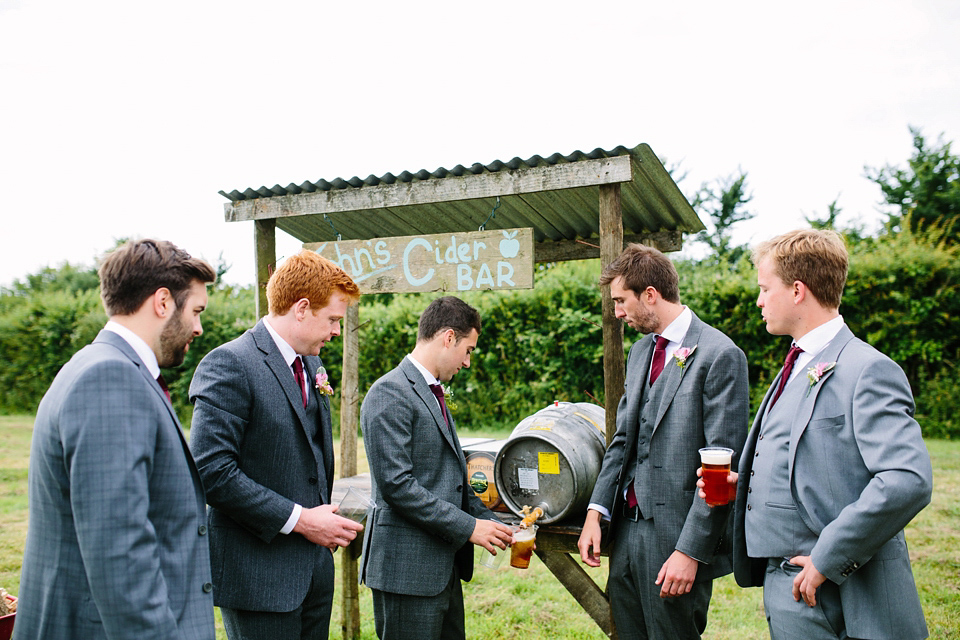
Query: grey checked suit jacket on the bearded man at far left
point(116, 545)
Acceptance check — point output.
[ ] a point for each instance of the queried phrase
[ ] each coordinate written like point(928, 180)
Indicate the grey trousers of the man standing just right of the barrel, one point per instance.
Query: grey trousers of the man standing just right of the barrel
point(638, 610)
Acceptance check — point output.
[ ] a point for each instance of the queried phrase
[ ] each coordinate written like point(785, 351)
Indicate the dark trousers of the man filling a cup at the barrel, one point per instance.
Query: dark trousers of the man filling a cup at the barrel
point(402, 617)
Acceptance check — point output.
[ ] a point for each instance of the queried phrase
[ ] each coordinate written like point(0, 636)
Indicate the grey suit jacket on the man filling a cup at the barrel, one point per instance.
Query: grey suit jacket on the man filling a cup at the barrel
point(425, 509)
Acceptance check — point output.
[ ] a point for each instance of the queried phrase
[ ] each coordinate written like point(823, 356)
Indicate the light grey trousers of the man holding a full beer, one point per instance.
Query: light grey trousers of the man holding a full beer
point(792, 620)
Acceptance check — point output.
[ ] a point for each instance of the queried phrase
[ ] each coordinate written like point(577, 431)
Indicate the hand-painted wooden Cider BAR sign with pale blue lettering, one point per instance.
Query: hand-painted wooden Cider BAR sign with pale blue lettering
point(468, 261)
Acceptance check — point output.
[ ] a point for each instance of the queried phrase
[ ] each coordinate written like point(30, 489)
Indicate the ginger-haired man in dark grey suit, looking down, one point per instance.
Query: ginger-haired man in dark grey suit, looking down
point(264, 446)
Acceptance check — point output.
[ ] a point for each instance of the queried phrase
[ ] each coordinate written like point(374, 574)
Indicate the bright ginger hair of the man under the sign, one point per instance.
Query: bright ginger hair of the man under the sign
point(307, 275)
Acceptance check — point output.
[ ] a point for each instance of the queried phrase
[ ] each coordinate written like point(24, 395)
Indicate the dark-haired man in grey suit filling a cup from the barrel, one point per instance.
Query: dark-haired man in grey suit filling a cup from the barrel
point(427, 518)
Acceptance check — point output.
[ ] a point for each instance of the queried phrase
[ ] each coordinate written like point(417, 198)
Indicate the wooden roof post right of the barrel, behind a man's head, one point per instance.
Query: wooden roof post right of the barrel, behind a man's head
point(611, 244)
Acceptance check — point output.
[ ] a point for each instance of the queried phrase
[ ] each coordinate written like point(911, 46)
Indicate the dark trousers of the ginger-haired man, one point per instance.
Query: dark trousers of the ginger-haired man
point(309, 621)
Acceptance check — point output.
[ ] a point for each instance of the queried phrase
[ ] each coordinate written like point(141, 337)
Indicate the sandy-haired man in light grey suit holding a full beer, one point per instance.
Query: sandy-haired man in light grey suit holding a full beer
point(835, 463)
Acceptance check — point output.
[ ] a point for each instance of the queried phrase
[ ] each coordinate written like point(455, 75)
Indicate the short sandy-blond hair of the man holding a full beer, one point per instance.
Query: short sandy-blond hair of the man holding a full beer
point(815, 257)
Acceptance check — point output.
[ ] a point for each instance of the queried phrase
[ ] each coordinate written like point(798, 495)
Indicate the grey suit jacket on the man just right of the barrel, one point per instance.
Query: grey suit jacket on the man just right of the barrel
point(705, 403)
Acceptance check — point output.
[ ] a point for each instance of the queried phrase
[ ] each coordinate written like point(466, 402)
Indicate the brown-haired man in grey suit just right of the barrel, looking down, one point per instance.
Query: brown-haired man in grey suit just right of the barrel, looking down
point(685, 388)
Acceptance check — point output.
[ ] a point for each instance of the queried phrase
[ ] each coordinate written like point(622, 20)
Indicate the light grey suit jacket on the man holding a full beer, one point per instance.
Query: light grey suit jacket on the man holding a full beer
point(859, 472)
